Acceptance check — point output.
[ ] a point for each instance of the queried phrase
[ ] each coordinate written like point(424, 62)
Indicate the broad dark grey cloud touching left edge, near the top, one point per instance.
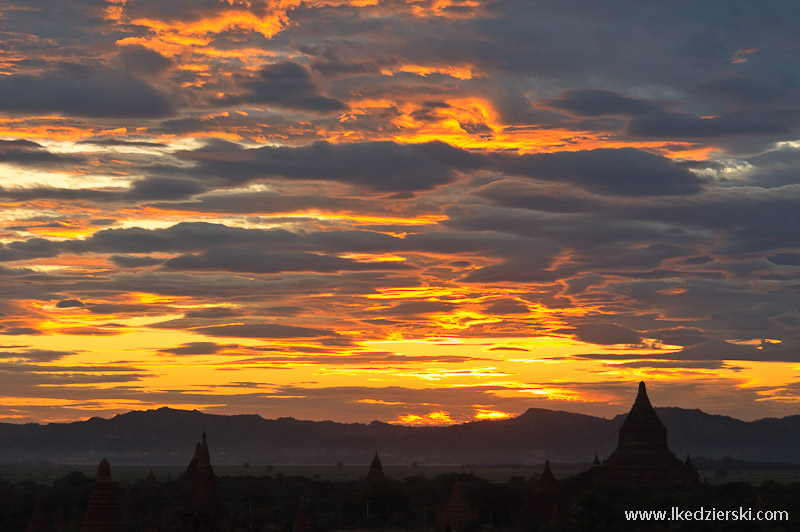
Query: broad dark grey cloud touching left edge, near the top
point(82, 91)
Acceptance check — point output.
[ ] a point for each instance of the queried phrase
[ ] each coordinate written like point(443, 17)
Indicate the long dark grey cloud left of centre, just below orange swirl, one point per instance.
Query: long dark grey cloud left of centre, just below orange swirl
point(385, 166)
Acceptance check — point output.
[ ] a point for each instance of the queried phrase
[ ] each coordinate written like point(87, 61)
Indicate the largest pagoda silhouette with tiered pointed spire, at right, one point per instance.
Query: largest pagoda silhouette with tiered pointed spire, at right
point(642, 454)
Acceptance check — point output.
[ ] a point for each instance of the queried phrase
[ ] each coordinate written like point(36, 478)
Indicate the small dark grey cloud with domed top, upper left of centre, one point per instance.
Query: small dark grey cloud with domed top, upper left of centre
point(286, 85)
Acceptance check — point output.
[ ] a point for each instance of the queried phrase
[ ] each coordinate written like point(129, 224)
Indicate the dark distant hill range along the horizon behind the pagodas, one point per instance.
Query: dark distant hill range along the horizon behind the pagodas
point(168, 436)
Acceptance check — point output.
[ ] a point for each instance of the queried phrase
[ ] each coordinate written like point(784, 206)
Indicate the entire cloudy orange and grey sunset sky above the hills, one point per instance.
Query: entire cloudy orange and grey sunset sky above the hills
point(413, 211)
